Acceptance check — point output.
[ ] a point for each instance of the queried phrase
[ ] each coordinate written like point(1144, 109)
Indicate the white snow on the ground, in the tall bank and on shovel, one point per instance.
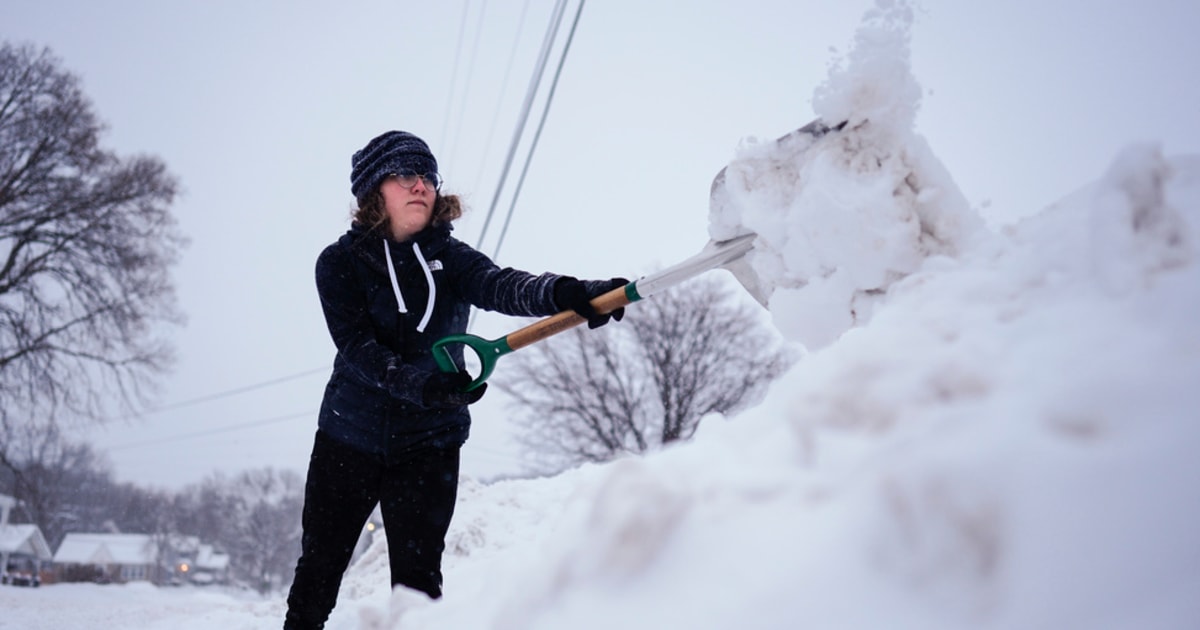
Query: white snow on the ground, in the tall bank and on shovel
point(992, 429)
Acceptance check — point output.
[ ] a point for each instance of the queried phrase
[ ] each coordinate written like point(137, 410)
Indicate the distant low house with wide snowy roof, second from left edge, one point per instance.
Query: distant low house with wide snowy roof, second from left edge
point(109, 559)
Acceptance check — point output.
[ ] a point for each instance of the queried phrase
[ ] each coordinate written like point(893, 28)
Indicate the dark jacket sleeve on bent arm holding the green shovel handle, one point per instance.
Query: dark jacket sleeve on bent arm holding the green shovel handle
point(349, 319)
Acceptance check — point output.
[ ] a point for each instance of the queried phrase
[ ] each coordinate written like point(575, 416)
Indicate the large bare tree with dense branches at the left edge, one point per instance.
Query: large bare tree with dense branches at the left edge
point(86, 245)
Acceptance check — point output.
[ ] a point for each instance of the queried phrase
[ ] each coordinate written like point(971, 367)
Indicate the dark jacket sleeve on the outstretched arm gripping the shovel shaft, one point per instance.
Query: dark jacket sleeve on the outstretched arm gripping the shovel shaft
point(506, 291)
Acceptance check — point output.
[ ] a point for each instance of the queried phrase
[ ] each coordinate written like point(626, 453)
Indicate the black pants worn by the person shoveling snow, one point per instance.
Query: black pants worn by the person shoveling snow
point(417, 499)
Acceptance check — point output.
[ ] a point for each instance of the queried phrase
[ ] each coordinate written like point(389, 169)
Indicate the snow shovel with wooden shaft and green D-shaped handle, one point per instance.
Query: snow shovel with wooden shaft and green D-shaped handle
point(727, 254)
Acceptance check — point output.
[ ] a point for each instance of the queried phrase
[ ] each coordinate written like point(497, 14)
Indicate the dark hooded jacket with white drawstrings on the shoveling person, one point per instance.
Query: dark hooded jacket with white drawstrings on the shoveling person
point(374, 398)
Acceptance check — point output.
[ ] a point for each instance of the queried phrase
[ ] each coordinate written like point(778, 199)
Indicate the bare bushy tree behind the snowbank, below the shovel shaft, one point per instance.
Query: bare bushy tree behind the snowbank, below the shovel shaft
point(592, 395)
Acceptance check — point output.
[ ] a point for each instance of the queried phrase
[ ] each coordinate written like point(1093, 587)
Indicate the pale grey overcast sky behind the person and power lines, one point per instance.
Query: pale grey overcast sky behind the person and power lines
point(257, 107)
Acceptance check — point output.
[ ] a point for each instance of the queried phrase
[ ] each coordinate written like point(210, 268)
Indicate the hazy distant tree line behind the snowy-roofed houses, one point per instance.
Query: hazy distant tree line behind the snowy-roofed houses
point(254, 517)
